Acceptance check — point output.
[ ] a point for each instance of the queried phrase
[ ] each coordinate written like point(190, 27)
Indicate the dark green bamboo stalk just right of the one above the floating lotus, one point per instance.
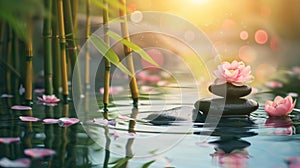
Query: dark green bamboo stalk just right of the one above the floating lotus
point(57, 77)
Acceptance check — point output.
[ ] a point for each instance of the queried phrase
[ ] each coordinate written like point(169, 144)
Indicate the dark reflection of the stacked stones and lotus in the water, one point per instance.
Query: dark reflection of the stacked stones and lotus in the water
point(230, 148)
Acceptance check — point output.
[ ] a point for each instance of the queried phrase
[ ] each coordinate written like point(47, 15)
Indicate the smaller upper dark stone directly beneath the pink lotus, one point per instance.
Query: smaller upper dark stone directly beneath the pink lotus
point(229, 90)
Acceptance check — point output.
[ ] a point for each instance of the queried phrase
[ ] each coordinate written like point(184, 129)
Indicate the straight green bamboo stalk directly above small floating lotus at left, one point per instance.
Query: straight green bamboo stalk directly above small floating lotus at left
point(47, 49)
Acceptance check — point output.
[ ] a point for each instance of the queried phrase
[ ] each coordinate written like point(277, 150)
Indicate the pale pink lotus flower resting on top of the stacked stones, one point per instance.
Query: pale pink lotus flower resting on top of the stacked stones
point(236, 73)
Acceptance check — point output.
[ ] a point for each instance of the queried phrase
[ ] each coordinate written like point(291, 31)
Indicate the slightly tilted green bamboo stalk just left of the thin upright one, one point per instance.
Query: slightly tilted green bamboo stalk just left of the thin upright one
point(72, 47)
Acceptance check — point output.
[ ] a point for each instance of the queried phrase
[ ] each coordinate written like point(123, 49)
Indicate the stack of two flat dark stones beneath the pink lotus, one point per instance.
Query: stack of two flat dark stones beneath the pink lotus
point(230, 101)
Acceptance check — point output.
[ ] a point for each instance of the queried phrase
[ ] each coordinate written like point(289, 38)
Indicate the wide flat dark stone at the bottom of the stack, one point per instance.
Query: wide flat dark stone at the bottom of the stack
point(227, 106)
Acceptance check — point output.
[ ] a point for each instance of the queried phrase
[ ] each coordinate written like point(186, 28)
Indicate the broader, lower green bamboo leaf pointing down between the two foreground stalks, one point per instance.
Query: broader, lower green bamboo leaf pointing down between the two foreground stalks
point(108, 53)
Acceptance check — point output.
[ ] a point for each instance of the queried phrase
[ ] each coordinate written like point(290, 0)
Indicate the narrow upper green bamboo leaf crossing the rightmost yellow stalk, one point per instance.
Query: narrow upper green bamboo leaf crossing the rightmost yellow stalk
point(133, 46)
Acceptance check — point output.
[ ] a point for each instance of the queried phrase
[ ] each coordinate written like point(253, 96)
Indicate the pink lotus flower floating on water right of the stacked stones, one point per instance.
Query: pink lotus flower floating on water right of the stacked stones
point(280, 106)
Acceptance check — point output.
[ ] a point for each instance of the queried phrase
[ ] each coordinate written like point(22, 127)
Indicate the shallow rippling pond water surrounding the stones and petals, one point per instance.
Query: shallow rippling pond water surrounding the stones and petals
point(161, 133)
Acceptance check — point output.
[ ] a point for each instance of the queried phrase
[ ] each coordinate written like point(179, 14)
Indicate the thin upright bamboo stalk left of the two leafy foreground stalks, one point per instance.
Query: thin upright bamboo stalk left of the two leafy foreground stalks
point(87, 55)
